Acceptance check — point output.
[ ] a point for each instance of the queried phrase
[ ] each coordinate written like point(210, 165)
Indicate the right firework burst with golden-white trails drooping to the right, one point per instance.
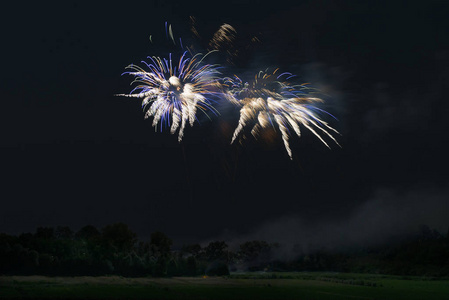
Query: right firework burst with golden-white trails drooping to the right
point(269, 101)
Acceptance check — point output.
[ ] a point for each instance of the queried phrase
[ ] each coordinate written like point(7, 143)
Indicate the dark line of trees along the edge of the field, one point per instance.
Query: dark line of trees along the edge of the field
point(115, 249)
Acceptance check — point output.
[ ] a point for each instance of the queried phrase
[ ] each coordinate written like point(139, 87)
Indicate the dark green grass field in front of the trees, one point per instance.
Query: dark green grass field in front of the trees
point(236, 286)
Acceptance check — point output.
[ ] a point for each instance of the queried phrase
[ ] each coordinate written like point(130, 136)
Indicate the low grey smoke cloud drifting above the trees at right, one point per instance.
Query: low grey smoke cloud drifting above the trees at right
point(386, 216)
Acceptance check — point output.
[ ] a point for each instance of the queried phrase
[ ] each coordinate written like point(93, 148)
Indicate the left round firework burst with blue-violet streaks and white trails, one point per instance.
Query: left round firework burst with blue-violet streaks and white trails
point(172, 93)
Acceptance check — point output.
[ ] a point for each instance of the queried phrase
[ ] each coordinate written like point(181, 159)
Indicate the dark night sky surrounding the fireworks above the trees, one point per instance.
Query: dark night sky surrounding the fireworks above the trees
point(73, 154)
